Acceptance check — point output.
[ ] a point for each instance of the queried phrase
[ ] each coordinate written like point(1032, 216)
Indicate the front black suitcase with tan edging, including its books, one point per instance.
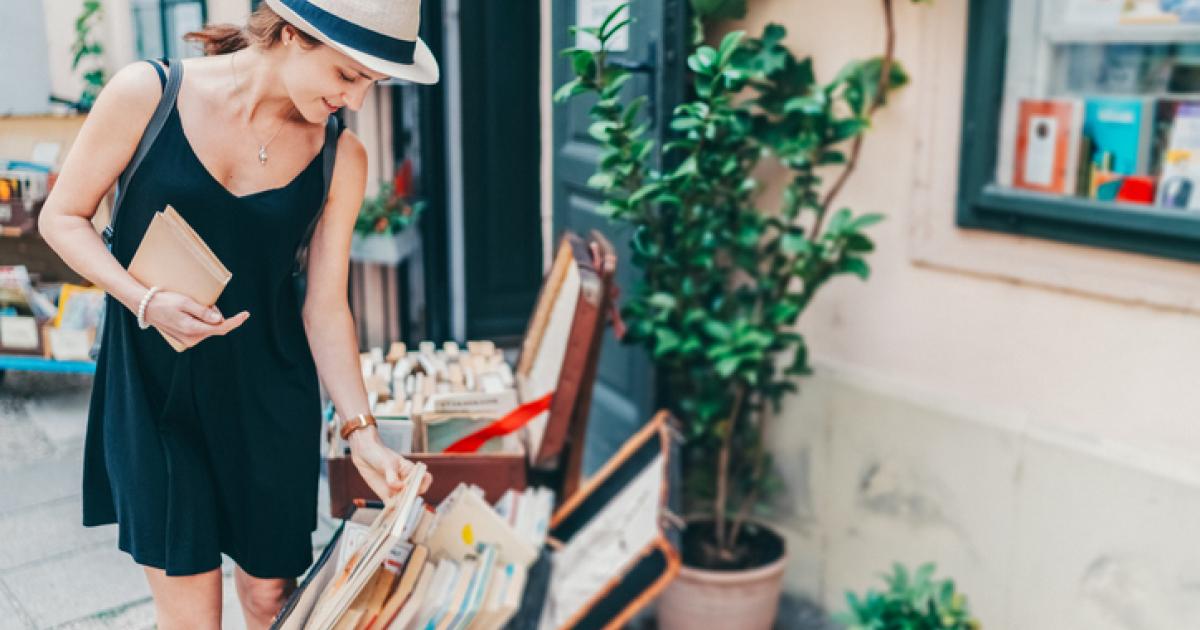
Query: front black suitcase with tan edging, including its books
point(470, 565)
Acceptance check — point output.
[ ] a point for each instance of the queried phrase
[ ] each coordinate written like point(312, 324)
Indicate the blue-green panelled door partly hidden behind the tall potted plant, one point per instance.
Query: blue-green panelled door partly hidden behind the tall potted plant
point(623, 399)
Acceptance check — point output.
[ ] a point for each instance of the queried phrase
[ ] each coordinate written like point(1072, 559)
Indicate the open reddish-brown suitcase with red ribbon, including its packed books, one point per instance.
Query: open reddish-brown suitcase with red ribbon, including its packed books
point(470, 416)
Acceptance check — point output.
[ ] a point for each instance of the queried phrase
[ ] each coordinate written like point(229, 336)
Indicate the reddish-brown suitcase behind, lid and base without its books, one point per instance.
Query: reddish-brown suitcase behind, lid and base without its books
point(559, 356)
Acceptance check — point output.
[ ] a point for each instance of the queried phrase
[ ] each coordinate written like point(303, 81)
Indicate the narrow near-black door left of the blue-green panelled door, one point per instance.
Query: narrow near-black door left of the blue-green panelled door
point(502, 262)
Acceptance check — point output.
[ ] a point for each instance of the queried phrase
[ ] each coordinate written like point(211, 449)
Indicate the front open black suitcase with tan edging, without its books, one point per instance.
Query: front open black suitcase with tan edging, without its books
point(611, 550)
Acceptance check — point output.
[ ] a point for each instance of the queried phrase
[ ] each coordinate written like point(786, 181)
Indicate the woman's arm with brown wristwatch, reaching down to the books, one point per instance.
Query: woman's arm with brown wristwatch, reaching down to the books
point(329, 325)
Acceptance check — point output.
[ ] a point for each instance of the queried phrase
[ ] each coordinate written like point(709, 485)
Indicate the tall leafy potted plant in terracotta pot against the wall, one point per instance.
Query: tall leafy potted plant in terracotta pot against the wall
point(725, 280)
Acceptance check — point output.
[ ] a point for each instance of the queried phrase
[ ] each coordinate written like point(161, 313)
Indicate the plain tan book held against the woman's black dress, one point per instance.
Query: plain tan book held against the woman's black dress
point(175, 257)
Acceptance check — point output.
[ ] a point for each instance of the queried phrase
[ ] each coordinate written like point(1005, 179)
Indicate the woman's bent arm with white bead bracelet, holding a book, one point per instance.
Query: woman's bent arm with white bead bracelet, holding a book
point(105, 146)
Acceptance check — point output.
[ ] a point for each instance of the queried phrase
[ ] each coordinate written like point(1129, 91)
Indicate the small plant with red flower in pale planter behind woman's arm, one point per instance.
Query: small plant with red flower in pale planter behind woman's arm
point(385, 232)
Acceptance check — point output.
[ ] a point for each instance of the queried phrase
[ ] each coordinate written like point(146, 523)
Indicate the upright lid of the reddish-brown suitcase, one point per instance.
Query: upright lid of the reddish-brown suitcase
point(562, 346)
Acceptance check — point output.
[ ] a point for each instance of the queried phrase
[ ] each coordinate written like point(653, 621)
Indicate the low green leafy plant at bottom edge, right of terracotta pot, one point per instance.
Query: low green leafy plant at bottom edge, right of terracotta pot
point(913, 602)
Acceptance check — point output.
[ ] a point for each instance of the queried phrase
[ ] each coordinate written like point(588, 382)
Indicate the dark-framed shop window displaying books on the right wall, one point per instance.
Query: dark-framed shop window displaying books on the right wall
point(1082, 123)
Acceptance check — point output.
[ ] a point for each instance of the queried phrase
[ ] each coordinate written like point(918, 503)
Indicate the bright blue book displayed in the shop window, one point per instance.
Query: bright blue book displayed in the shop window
point(1120, 130)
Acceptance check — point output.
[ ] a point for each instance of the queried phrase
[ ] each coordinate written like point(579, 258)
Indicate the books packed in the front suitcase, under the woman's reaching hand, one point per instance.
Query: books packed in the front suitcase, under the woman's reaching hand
point(463, 566)
